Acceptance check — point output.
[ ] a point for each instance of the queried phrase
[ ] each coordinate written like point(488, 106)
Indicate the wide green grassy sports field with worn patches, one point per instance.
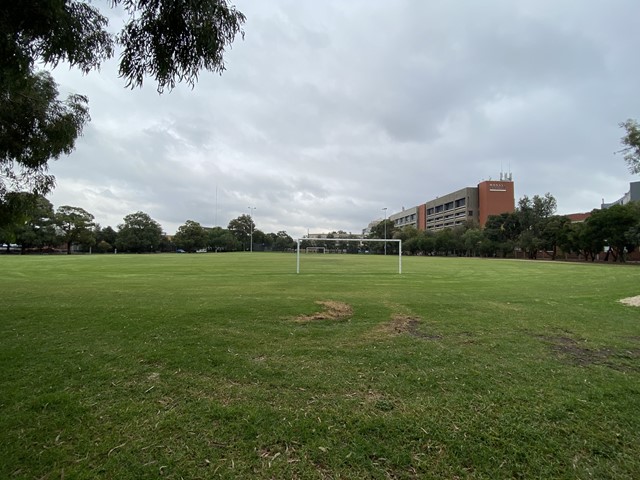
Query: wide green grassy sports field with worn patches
point(226, 366)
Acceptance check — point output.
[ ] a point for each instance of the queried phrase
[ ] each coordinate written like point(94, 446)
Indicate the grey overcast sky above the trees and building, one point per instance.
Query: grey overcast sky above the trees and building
point(330, 111)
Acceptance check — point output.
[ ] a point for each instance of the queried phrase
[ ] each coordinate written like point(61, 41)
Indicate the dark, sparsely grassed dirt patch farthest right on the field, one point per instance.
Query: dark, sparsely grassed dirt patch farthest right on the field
point(578, 353)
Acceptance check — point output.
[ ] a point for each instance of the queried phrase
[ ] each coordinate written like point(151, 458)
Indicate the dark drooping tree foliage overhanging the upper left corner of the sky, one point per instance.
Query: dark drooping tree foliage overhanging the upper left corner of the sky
point(168, 40)
